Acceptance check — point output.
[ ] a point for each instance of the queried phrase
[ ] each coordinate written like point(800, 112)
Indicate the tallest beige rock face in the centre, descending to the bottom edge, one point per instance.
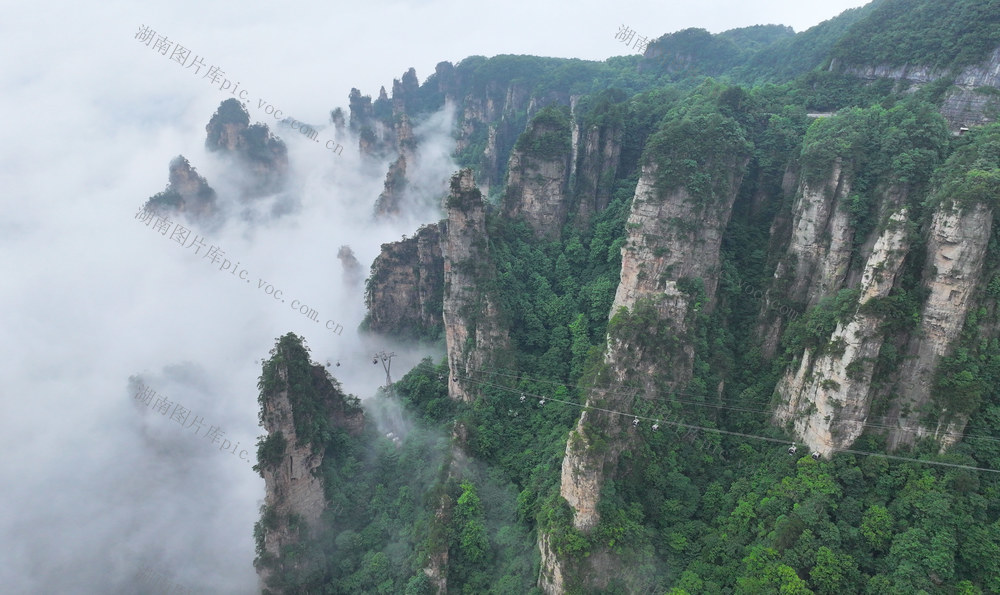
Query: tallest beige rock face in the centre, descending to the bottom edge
point(669, 239)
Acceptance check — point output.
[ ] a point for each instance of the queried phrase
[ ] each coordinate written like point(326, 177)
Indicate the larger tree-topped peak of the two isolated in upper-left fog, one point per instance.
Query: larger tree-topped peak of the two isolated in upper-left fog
point(262, 157)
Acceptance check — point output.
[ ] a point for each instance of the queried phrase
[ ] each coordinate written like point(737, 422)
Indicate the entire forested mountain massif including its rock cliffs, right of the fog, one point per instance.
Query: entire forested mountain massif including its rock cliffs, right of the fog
point(652, 284)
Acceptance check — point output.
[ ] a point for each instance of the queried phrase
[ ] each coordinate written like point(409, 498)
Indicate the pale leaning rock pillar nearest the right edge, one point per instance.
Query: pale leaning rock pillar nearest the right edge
point(956, 245)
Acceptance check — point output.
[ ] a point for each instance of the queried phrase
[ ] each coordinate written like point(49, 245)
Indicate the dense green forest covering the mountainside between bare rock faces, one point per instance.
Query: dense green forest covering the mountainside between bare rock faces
point(706, 493)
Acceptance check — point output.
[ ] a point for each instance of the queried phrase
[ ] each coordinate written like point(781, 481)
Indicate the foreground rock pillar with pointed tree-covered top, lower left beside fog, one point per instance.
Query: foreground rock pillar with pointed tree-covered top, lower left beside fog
point(294, 496)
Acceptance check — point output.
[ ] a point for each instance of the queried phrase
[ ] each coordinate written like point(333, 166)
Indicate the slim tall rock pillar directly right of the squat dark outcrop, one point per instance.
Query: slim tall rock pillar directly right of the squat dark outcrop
point(471, 318)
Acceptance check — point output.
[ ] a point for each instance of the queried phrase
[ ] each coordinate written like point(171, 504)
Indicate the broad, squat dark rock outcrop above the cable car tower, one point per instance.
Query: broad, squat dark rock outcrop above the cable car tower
point(404, 294)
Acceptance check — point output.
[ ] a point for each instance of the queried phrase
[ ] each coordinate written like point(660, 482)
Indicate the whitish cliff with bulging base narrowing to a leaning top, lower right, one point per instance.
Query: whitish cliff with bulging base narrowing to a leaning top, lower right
point(826, 398)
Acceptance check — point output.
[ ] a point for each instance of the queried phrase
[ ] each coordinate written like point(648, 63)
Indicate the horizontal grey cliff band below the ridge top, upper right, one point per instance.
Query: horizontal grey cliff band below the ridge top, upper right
point(966, 104)
